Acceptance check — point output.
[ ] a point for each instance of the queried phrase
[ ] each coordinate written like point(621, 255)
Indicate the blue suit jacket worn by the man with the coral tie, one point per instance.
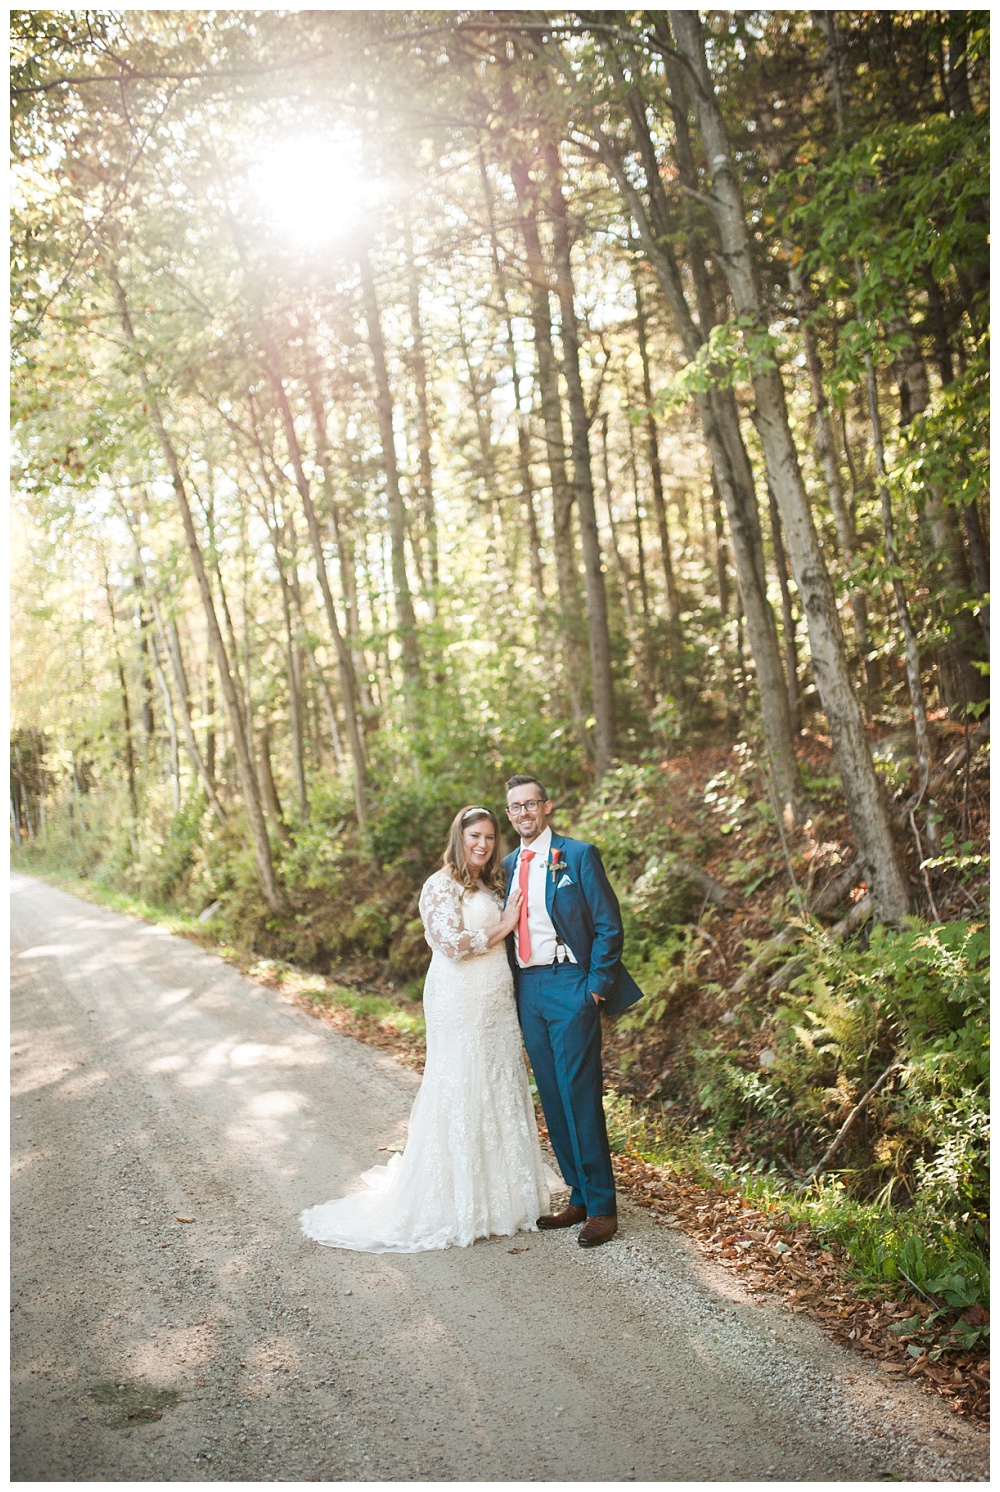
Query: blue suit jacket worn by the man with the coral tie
point(584, 912)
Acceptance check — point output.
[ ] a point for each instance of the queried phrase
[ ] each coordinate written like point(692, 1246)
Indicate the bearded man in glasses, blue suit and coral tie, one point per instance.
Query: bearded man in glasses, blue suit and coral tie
point(566, 960)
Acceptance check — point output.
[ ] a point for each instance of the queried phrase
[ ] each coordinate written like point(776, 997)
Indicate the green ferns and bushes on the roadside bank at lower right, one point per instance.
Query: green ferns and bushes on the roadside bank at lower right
point(908, 1196)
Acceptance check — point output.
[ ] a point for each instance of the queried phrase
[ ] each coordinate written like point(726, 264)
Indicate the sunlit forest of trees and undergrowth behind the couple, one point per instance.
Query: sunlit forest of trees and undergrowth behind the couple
point(408, 399)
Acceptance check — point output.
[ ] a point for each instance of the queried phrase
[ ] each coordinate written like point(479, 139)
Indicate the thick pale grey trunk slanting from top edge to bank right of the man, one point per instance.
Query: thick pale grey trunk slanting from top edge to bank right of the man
point(866, 803)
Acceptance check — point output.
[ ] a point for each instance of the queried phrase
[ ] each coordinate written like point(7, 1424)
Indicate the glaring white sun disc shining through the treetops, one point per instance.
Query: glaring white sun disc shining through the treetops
point(313, 187)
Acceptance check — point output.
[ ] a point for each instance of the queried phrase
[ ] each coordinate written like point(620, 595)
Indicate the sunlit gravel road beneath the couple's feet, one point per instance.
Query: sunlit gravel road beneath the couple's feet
point(154, 1084)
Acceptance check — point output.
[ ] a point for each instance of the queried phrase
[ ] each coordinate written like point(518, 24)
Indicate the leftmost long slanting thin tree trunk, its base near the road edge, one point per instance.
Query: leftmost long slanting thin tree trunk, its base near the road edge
point(271, 888)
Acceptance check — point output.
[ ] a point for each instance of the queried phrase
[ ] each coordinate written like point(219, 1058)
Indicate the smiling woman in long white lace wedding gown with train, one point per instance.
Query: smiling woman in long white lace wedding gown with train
point(472, 1166)
